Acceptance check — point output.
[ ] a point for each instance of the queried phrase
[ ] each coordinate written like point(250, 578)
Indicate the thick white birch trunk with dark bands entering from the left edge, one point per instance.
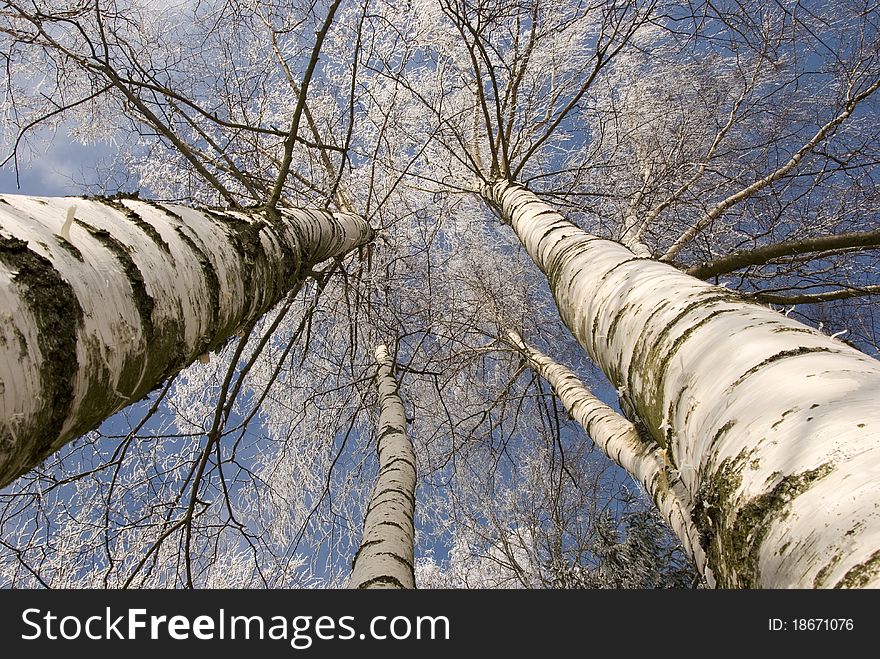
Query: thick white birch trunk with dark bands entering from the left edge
point(104, 299)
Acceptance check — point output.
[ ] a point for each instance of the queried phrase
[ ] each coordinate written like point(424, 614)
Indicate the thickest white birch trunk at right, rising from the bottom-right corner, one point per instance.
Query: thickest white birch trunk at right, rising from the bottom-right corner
point(772, 426)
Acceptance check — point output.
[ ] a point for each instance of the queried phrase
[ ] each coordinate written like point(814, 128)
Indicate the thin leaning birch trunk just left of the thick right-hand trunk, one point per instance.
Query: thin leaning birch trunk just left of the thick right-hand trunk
point(620, 440)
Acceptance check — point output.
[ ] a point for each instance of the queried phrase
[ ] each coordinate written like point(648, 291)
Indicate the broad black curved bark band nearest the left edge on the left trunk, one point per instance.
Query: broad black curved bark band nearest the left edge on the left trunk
point(58, 316)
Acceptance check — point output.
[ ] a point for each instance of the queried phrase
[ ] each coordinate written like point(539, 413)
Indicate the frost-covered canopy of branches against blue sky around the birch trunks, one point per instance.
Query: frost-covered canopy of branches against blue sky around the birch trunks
point(735, 141)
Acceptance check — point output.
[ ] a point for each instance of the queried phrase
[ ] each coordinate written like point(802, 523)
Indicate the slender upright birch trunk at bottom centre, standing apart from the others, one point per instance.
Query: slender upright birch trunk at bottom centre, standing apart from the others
point(385, 558)
